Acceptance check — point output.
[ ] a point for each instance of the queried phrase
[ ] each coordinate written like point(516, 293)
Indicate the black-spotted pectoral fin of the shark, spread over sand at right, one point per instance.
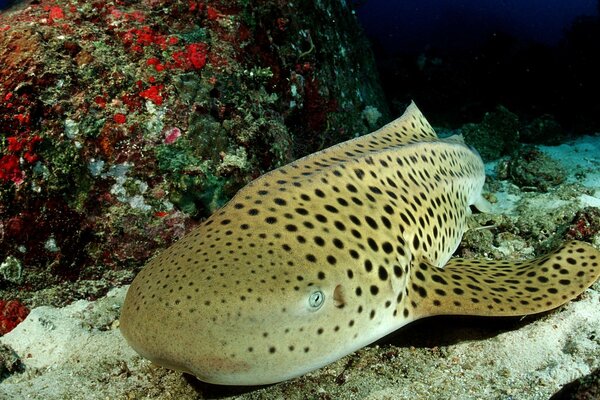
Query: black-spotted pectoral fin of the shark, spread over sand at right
point(503, 288)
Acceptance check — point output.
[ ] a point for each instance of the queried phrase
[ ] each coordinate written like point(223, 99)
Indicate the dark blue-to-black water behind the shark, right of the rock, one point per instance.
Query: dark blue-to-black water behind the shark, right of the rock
point(459, 59)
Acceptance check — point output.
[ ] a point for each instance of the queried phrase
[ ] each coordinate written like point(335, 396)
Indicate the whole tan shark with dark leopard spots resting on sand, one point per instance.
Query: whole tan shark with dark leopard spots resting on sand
point(323, 256)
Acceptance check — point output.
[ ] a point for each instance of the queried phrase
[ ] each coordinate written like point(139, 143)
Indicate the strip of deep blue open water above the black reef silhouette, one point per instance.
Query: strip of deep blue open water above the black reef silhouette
point(418, 24)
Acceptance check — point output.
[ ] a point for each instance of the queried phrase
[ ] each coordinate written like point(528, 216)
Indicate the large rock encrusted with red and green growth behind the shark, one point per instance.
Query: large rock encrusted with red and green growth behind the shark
point(123, 123)
